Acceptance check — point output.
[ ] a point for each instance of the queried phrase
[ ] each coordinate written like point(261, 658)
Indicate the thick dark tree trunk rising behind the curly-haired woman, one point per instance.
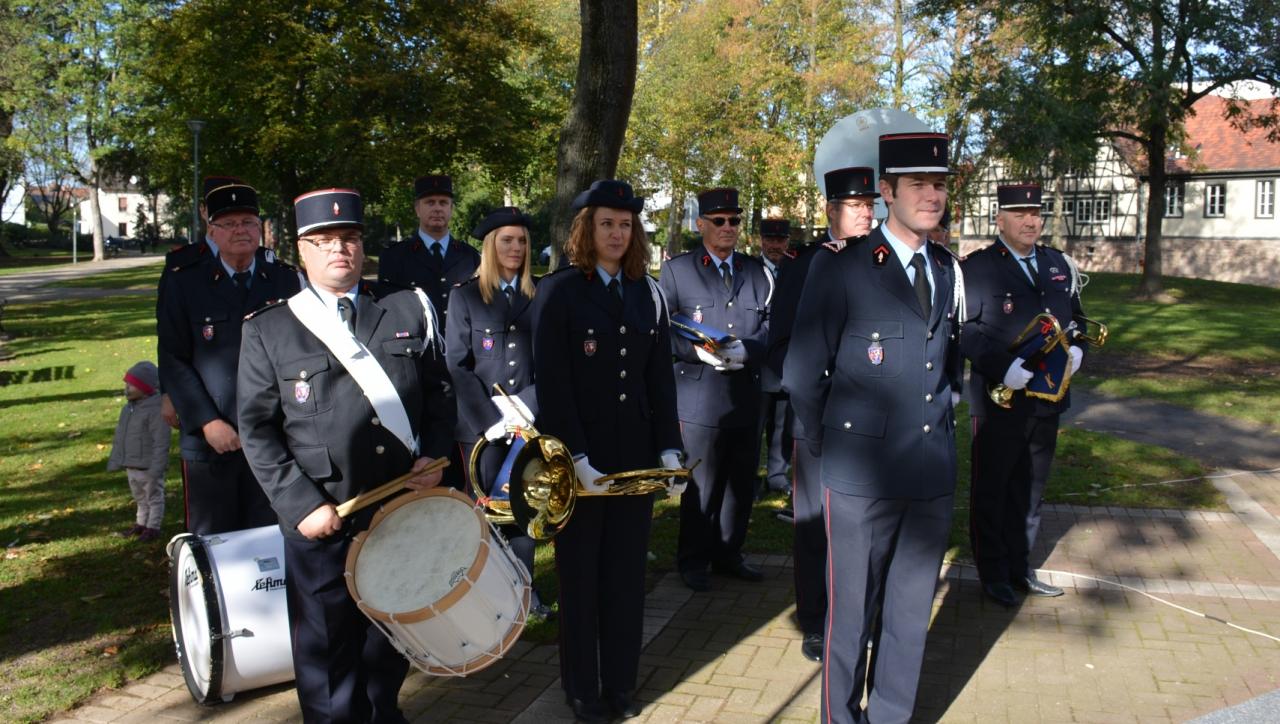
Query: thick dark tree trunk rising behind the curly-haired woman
point(592, 138)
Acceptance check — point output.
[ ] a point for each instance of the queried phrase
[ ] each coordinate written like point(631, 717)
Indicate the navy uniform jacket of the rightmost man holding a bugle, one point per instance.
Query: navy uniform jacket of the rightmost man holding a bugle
point(1002, 301)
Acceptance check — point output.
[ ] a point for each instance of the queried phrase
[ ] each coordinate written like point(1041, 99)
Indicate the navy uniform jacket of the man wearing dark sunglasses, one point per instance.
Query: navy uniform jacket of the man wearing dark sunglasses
point(694, 287)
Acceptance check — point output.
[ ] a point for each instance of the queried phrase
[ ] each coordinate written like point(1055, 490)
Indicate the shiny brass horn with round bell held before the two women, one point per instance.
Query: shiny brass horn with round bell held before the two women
point(543, 485)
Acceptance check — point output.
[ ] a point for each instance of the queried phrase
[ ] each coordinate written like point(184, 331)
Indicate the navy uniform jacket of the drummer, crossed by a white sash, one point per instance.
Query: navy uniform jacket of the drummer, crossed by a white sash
point(308, 429)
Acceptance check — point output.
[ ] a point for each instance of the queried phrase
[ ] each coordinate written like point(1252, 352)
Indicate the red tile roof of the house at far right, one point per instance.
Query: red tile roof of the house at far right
point(1220, 146)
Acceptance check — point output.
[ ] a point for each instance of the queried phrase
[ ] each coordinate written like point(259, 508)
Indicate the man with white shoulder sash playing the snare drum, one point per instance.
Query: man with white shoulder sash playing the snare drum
point(337, 398)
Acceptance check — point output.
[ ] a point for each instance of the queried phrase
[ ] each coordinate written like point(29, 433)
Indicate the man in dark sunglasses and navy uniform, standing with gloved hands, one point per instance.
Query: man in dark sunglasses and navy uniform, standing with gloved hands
point(719, 391)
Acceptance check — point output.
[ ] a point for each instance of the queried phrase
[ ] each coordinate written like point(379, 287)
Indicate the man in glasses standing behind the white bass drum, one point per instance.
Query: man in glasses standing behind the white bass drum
point(199, 328)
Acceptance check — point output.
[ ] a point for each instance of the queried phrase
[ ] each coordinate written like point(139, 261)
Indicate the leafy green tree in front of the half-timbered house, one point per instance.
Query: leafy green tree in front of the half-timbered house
point(1124, 71)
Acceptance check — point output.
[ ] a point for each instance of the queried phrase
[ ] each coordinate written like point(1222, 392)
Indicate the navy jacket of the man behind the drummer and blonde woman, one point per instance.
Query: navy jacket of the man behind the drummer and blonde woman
point(412, 264)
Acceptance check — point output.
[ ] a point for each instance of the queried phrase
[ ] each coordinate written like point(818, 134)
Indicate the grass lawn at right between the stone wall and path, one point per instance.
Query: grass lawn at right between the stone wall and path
point(1215, 350)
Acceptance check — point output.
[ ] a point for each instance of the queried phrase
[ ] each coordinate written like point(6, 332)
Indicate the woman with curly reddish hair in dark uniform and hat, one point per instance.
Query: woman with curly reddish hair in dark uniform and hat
point(606, 388)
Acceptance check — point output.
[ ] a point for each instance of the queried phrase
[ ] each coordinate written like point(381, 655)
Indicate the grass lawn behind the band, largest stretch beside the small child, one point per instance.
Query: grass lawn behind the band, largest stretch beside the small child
point(85, 610)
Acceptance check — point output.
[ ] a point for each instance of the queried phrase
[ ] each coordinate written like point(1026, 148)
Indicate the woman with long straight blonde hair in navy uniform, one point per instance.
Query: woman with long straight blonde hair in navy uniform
point(488, 342)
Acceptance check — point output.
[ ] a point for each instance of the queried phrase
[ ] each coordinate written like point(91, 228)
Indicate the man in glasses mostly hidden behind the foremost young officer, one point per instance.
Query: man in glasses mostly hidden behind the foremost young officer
point(851, 207)
